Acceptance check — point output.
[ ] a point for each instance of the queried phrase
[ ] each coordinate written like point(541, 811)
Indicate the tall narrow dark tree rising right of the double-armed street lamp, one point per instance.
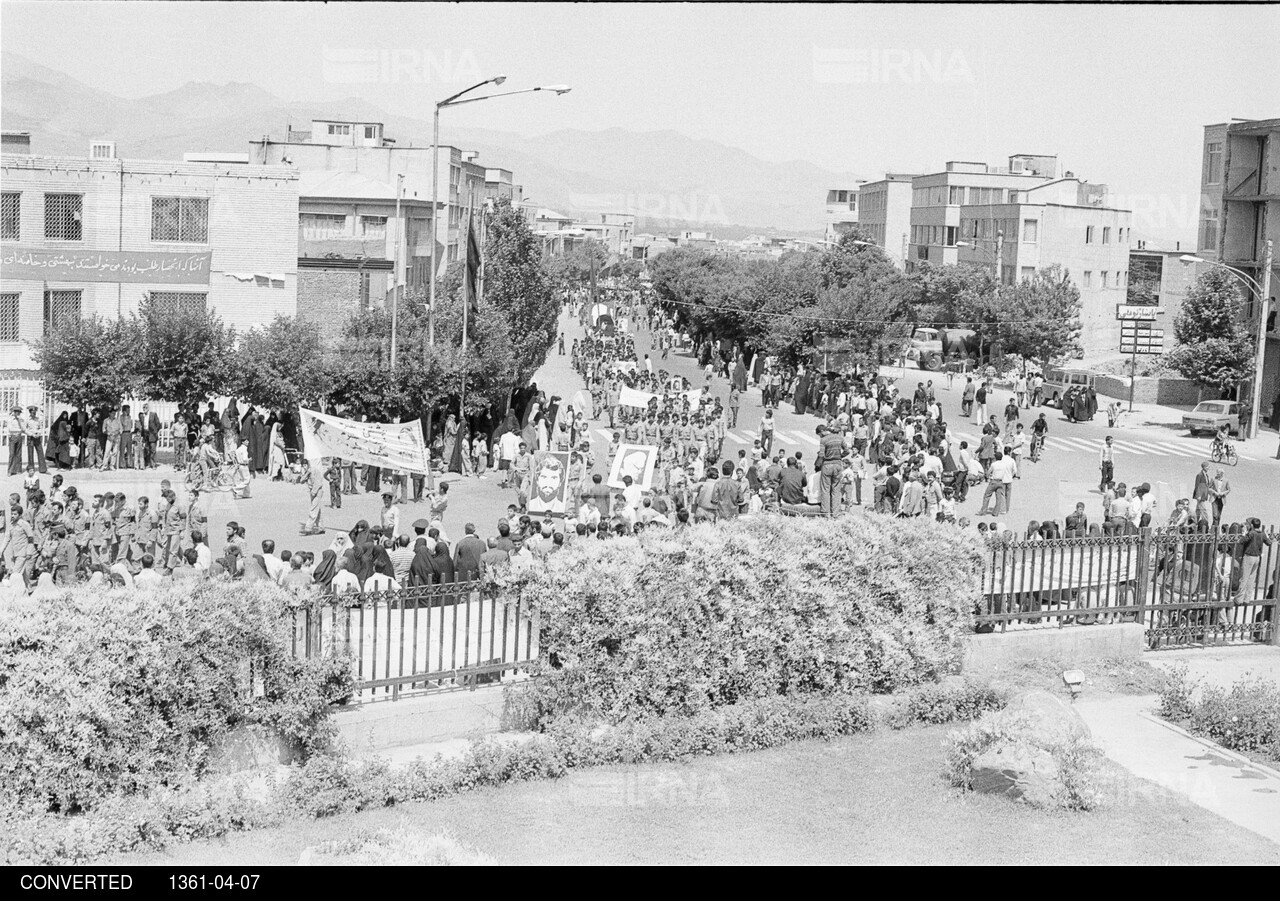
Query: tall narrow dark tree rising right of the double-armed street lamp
point(516, 285)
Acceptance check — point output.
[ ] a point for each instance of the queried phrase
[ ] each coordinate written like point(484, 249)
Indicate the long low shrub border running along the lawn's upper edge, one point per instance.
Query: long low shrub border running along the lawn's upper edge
point(330, 785)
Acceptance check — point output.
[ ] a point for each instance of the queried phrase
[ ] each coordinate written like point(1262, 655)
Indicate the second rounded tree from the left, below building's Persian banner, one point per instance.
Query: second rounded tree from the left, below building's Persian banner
point(184, 355)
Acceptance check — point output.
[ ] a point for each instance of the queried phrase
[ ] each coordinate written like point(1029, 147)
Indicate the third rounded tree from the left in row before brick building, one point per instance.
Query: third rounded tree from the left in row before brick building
point(281, 365)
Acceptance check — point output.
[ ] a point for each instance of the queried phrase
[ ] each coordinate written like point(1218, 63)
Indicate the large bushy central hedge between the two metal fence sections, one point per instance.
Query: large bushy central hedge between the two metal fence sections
point(687, 621)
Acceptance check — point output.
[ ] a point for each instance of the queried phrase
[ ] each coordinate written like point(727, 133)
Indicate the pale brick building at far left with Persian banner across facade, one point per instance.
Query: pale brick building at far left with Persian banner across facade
point(85, 237)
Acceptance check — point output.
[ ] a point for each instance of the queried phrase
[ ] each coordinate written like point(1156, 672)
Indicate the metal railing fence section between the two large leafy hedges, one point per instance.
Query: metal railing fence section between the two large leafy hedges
point(422, 639)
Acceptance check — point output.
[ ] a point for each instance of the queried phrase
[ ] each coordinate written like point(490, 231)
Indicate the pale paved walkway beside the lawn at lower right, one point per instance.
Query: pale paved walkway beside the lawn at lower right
point(1227, 784)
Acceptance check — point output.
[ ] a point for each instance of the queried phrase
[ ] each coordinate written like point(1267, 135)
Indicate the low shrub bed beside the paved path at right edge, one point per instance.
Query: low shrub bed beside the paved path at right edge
point(1245, 719)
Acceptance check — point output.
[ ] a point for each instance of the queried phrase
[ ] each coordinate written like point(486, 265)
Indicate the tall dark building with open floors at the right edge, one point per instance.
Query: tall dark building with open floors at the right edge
point(1240, 214)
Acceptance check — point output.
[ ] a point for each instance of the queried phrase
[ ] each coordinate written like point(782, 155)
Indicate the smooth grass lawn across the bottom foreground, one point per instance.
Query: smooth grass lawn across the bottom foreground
point(875, 799)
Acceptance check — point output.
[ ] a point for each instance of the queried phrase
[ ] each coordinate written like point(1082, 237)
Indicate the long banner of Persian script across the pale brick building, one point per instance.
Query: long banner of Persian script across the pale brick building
point(126, 267)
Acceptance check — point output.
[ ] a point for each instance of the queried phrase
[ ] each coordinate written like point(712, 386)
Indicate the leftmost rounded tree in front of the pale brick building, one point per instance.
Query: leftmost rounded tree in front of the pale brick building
point(92, 362)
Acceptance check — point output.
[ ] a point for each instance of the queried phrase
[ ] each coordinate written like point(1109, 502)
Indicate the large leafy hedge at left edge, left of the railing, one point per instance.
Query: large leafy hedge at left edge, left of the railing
point(112, 694)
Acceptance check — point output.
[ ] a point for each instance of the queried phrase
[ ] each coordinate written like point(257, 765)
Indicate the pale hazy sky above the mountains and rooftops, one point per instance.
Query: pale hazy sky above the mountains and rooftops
point(1119, 94)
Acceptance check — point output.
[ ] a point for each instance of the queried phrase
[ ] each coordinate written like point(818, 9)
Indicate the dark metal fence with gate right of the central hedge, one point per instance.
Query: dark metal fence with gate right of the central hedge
point(1187, 589)
